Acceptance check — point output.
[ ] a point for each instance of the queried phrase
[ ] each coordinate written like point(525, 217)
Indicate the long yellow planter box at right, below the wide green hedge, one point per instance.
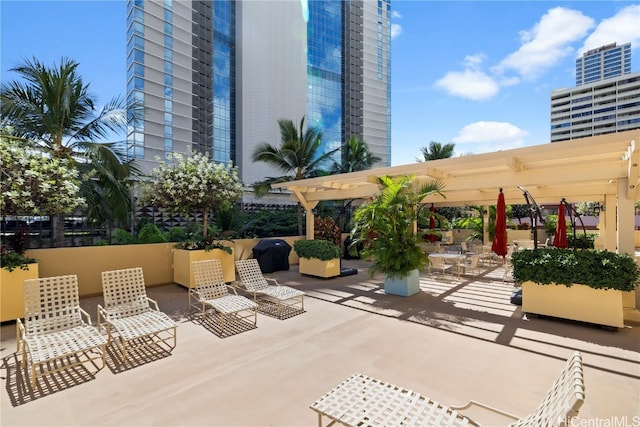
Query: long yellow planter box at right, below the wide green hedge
point(578, 302)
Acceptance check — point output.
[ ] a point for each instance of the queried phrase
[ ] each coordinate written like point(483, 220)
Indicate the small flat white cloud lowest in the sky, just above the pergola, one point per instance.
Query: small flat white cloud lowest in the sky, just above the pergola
point(481, 137)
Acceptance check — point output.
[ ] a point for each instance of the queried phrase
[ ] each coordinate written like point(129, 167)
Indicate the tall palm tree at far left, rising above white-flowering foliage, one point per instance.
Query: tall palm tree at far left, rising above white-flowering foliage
point(52, 109)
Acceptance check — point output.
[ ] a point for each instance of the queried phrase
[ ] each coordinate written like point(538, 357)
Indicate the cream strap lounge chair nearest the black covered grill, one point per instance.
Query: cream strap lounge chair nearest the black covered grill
point(254, 282)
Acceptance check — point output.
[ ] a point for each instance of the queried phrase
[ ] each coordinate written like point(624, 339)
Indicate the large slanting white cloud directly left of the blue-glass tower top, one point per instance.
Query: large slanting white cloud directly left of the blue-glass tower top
point(546, 43)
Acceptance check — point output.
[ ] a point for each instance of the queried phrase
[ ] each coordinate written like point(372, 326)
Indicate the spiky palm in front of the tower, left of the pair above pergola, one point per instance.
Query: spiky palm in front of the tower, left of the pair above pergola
point(297, 157)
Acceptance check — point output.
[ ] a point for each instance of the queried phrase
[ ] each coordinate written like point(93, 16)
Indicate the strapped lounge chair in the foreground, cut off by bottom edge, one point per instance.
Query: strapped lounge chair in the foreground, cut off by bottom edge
point(364, 401)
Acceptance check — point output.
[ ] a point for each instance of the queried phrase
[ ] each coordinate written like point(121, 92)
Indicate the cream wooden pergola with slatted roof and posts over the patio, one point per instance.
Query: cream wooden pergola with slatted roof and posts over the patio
point(601, 168)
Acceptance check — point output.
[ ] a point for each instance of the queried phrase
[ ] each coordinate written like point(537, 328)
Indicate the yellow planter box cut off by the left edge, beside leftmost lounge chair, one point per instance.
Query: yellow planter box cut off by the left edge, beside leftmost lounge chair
point(11, 292)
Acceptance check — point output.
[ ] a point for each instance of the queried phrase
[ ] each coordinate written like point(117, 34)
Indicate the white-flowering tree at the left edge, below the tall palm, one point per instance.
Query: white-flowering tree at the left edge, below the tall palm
point(33, 184)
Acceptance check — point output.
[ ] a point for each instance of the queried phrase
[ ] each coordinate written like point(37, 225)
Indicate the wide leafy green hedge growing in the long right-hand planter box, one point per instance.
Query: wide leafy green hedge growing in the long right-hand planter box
point(596, 269)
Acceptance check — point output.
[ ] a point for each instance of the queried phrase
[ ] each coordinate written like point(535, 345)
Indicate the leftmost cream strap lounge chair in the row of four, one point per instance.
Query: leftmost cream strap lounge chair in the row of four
point(56, 333)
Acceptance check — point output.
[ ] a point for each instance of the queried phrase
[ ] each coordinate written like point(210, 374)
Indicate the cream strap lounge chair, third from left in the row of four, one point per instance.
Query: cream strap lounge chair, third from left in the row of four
point(211, 291)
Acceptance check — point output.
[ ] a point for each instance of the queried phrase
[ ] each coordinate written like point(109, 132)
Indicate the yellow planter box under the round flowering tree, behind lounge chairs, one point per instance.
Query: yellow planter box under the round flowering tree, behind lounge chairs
point(182, 259)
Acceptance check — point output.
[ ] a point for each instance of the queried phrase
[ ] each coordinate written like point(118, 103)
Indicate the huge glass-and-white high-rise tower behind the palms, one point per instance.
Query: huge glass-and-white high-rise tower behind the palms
point(216, 76)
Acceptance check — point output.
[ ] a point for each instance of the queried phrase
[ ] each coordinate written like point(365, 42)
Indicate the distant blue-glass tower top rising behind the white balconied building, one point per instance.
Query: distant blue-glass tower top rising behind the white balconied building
point(603, 63)
